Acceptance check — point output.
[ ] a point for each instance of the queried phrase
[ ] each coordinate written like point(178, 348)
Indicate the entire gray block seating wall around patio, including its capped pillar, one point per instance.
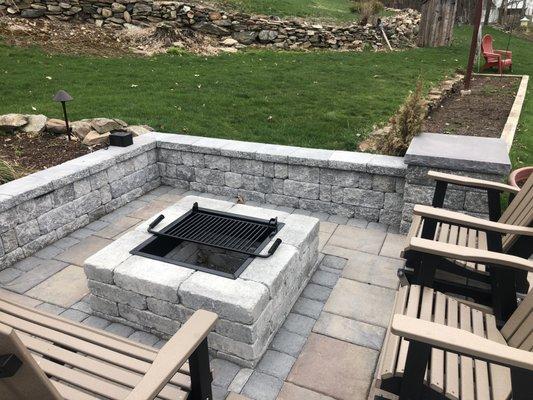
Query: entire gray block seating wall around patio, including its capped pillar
point(43, 207)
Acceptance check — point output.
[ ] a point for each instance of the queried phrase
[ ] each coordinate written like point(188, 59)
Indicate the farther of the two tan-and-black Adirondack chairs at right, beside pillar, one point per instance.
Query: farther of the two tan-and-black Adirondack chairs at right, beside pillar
point(509, 233)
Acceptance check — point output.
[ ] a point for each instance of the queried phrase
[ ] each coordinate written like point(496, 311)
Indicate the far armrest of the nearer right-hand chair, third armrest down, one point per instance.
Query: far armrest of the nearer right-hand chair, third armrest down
point(456, 252)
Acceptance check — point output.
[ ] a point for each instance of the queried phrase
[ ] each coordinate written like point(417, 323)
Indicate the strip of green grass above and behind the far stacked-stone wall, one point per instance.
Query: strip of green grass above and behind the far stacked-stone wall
point(323, 9)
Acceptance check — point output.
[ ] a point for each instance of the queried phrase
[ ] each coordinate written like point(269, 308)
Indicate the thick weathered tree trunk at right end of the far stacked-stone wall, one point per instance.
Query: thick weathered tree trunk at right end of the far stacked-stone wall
point(436, 23)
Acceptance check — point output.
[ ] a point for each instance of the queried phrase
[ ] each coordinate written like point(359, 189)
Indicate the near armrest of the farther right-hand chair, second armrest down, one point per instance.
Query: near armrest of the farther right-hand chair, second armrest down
point(466, 220)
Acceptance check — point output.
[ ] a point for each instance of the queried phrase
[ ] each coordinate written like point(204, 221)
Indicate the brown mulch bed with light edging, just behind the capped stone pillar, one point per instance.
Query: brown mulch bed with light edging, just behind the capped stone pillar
point(482, 113)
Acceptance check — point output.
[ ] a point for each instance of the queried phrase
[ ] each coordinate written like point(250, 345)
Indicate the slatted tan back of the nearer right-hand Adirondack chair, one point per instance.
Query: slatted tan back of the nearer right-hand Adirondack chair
point(518, 330)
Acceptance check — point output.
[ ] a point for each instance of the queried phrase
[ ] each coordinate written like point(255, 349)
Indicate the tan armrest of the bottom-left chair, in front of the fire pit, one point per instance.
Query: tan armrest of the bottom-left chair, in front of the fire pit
point(174, 354)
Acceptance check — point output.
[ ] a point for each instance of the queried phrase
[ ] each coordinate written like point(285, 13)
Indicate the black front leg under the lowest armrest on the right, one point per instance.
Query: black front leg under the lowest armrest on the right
point(412, 386)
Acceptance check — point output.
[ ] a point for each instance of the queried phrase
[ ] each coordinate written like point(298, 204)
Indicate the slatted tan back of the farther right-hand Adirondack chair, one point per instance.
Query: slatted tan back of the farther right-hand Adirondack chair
point(519, 212)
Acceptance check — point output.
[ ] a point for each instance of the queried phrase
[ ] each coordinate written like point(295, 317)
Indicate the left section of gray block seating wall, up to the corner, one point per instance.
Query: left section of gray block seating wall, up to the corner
point(46, 206)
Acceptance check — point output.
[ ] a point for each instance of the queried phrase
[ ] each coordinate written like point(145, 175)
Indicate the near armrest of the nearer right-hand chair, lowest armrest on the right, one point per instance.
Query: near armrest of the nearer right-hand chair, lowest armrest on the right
point(461, 342)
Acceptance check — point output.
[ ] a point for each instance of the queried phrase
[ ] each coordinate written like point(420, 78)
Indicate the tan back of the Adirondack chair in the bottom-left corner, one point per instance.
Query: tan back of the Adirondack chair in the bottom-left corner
point(29, 382)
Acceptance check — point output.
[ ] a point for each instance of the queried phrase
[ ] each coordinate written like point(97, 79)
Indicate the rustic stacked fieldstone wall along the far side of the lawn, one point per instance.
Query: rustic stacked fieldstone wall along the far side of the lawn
point(401, 28)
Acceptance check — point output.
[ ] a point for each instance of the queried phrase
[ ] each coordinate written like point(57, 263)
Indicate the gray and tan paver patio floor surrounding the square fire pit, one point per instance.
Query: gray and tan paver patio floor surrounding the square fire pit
point(328, 345)
